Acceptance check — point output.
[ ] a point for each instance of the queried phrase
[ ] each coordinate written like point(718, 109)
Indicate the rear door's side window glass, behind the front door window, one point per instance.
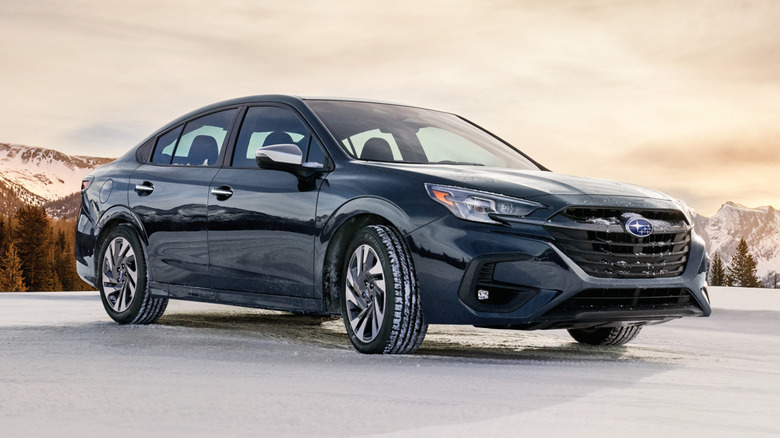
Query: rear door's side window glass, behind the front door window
point(203, 139)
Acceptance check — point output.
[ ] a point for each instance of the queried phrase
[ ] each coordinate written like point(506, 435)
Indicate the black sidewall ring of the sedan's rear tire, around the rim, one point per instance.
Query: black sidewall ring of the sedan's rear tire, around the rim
point(133, 310)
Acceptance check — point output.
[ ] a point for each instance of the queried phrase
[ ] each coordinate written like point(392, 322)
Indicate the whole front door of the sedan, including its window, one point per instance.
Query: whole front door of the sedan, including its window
point(261, 222)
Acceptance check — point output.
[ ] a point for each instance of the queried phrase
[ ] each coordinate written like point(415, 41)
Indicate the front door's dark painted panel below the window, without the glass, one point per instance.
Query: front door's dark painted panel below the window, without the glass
point(261, 238)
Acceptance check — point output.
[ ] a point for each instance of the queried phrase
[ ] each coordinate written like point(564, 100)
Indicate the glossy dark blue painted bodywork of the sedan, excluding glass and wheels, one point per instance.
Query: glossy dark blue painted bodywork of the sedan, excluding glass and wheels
point(270, 242)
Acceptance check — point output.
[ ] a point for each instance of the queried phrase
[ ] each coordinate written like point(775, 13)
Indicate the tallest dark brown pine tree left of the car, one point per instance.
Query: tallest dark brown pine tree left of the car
point(33, 243)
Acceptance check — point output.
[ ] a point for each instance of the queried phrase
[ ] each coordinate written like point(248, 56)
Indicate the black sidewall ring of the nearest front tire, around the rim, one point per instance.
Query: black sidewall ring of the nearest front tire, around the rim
point(368, 236)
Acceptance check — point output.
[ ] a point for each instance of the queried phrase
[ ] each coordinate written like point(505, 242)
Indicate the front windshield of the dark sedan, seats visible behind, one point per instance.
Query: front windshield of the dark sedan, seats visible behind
point(394, 133)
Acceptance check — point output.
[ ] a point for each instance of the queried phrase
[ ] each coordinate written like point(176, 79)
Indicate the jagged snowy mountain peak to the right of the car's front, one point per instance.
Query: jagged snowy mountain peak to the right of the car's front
point(760, 227)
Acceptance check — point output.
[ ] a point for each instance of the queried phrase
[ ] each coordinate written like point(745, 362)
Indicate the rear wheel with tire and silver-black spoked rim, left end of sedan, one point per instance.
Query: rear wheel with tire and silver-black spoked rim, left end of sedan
point(123, 280)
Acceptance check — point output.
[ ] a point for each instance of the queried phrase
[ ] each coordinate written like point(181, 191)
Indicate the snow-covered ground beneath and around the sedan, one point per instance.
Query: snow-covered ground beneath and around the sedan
point(66, 370)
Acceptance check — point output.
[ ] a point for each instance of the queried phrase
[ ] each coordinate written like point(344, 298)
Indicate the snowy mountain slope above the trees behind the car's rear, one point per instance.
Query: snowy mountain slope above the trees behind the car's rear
point(39, 176)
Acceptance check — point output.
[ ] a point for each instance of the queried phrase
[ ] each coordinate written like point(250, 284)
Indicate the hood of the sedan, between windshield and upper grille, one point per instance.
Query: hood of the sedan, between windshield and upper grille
point(525, 184)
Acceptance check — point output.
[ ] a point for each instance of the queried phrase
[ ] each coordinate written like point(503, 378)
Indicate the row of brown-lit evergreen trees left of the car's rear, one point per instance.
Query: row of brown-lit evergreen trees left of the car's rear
point(36, 252)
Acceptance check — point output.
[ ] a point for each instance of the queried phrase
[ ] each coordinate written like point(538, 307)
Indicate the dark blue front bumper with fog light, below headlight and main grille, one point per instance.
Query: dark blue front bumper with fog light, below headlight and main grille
point(533, 284)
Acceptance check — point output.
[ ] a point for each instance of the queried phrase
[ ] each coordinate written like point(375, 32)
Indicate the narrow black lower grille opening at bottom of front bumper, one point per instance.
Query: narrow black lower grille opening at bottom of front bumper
point(619, 299)
